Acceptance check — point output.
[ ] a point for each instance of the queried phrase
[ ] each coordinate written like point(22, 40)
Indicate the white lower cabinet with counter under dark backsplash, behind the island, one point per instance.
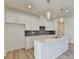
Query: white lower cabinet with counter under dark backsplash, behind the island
point(30, 40)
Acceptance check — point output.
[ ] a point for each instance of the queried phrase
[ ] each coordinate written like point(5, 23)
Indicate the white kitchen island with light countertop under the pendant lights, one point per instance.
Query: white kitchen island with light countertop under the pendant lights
point(50, 48)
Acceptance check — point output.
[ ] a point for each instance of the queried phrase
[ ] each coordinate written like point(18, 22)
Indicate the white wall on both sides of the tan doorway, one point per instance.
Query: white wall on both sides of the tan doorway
point(69, 27)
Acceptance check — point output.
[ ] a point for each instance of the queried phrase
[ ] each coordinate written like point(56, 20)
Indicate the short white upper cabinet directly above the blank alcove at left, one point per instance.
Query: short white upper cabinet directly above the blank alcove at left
point(15, 17)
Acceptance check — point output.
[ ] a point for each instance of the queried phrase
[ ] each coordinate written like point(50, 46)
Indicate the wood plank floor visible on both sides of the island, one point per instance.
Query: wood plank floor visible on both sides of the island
point(29, 54)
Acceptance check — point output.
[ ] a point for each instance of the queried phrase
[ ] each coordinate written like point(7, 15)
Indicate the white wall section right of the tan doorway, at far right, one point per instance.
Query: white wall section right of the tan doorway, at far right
point(69, 28)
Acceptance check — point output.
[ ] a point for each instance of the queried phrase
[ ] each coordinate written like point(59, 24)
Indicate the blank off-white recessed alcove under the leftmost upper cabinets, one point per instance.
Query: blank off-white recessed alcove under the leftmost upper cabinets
point(14, 38)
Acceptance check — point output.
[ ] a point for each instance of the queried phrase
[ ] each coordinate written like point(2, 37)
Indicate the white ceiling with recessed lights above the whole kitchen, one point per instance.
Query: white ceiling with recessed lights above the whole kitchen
point(40, 7)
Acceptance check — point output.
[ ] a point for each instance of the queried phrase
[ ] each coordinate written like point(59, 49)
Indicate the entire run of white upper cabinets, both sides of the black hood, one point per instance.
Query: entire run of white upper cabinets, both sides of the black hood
point(31, 22)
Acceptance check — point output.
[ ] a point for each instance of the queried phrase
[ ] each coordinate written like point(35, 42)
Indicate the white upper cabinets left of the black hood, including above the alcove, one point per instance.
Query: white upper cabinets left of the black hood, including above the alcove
point(31, 22)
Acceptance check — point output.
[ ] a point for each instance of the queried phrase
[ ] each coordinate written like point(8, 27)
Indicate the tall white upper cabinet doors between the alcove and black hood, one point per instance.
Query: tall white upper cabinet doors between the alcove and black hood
point(32, 23)
